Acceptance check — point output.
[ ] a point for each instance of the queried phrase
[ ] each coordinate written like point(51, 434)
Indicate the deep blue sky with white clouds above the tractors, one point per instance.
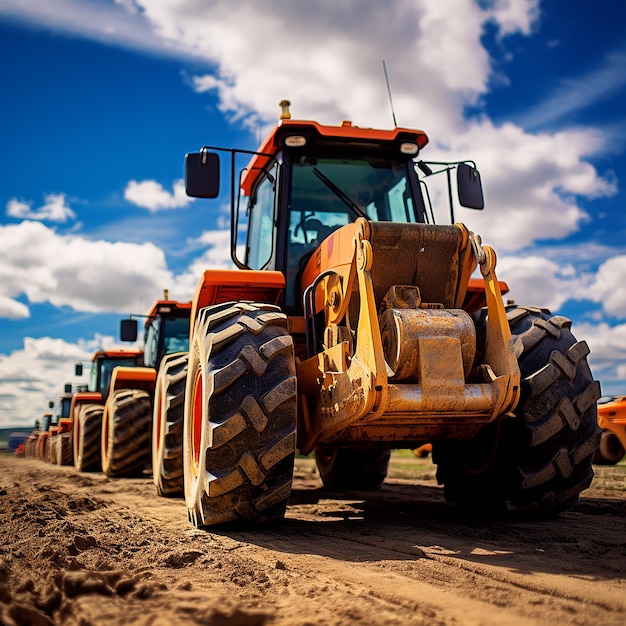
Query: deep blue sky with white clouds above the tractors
point(102, 99)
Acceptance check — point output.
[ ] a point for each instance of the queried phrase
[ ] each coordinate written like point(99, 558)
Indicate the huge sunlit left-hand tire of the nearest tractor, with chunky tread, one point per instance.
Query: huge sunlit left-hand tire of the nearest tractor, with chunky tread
point(240, 416)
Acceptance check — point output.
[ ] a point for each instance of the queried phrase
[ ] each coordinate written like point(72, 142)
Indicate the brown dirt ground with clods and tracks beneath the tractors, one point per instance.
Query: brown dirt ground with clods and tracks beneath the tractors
point(82, 549)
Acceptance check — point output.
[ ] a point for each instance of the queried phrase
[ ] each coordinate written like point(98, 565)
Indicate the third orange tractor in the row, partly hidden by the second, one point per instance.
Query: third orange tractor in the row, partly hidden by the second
point(87, 407)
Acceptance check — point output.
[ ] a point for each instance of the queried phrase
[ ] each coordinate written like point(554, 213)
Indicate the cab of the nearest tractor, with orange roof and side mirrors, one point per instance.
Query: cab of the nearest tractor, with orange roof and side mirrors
point(307, 180)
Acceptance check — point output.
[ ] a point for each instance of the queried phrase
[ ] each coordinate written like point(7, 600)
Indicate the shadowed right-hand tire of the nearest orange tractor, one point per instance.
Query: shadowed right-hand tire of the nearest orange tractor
point(540, 460)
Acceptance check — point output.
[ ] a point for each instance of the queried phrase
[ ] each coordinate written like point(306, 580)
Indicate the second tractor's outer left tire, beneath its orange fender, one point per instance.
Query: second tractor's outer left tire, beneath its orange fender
point(126, 430)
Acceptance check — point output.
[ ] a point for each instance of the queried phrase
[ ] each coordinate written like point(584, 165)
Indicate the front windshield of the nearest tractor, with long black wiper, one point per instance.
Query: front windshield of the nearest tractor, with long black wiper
point(327, 193)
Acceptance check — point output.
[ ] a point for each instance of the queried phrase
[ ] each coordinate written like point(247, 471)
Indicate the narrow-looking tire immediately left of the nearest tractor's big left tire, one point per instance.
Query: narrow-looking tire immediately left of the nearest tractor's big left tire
point(167, 425)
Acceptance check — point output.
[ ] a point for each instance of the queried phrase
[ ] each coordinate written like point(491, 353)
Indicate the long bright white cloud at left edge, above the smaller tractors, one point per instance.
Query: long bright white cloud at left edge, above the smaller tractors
point(69, 270)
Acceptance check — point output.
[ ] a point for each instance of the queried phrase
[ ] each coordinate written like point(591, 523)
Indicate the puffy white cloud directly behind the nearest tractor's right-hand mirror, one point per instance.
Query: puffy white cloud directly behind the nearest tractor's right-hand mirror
point(531, 181)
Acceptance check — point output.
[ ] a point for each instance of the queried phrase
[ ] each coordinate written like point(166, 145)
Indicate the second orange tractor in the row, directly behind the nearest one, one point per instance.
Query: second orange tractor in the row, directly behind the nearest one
point(150, 402)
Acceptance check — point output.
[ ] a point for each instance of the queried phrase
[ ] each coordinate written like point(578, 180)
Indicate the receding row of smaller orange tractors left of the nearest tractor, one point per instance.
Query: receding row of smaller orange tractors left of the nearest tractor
point(128, 418)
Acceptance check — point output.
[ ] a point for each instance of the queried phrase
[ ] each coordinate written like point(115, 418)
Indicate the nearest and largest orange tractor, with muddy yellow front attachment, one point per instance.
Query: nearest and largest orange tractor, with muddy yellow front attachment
point(353, 326)
